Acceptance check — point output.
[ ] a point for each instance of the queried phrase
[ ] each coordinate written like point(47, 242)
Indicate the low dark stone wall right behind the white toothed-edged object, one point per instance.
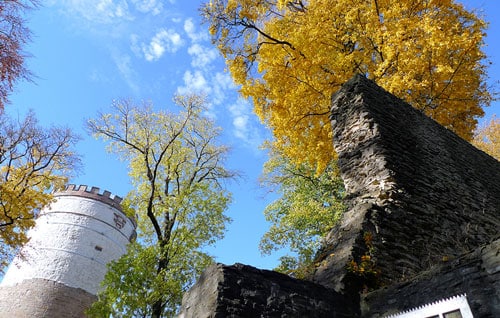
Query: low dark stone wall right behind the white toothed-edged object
point(476, 274)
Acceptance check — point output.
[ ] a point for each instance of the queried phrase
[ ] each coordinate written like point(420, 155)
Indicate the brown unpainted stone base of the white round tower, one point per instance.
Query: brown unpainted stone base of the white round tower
point(43, 298)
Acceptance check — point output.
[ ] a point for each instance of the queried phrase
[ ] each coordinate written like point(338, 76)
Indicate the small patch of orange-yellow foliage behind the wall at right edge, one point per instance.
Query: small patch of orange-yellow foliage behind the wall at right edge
point(487, 137)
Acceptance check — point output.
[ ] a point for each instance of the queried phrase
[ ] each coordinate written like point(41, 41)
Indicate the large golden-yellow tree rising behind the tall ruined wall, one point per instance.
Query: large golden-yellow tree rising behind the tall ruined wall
point(290, 56)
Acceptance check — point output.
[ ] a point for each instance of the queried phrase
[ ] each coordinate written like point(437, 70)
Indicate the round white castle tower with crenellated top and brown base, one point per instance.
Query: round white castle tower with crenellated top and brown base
point(58, 272)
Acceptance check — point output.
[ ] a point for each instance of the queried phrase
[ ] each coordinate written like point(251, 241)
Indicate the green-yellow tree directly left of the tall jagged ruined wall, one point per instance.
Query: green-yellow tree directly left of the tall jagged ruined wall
point(307, 208)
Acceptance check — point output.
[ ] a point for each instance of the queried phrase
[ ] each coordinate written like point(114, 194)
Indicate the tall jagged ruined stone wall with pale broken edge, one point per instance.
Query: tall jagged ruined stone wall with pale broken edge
point(419, 192)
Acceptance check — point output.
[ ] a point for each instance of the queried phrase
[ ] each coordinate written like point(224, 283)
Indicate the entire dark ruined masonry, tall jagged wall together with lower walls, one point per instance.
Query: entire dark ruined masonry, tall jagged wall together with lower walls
point(423, 209)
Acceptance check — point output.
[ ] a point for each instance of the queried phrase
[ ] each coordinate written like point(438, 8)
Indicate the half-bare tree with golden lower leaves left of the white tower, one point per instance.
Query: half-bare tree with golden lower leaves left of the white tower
point(33, 162)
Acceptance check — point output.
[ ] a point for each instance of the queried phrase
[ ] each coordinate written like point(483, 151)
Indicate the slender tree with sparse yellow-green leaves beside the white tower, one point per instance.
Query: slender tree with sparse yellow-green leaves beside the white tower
point(176, 166)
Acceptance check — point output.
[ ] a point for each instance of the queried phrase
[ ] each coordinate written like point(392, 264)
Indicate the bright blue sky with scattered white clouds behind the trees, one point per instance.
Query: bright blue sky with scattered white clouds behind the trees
point(88, 52)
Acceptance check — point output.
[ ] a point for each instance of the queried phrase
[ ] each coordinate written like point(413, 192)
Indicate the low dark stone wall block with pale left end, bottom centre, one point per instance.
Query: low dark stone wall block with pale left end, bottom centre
point(244, 291)
